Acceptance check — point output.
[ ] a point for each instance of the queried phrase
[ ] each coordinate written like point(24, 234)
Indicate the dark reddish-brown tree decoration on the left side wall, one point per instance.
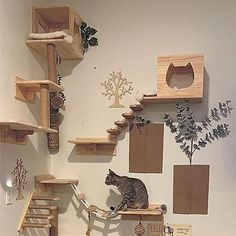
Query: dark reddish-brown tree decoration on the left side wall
point(19, 181)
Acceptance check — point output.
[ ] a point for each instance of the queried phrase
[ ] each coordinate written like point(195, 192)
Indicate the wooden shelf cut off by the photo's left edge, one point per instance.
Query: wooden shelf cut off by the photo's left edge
point(16, 132)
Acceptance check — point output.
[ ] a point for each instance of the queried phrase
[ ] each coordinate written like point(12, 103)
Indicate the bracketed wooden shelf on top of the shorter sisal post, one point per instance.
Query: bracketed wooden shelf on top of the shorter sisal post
point(25, 90)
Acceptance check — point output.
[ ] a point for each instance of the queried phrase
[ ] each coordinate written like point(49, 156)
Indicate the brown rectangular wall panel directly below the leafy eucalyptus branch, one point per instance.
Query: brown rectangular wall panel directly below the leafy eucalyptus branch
point(191, 186)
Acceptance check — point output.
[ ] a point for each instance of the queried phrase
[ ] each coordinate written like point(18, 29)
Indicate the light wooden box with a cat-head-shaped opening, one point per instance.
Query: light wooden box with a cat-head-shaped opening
point(180, 65)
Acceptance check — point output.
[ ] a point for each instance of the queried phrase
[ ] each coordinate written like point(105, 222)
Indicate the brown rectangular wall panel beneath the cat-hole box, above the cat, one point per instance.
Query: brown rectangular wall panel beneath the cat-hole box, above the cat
point(146, 148)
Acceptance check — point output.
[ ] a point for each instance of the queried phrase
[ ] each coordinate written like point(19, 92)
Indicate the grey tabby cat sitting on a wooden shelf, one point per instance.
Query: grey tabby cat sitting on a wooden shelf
point(133, 191)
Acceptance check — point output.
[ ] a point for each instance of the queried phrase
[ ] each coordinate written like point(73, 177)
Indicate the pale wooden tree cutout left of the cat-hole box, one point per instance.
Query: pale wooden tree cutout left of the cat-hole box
point(116, 86)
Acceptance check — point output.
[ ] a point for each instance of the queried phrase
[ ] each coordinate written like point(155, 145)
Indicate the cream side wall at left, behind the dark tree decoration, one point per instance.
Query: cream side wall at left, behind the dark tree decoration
point(16, 59)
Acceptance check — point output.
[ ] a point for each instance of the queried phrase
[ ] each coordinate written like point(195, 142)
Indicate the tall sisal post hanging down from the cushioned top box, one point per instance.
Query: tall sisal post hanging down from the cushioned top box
point(53, 138)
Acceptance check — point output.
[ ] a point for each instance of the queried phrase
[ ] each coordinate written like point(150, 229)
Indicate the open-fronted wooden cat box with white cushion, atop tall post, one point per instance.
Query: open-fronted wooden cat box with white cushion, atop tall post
point(58, 26)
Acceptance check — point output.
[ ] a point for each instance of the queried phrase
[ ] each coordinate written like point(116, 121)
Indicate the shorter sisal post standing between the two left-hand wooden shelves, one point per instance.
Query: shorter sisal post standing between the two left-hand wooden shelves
point(44, 101)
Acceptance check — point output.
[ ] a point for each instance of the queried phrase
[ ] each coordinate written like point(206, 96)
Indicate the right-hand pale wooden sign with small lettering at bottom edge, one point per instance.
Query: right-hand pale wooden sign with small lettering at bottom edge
point(178, 230)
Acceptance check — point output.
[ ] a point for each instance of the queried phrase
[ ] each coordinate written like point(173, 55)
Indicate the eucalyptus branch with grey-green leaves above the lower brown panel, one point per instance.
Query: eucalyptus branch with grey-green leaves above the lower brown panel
point(187, 131)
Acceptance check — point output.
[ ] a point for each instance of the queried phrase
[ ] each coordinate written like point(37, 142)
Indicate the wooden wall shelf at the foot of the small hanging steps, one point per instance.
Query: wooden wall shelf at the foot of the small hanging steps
point(95, 146)
